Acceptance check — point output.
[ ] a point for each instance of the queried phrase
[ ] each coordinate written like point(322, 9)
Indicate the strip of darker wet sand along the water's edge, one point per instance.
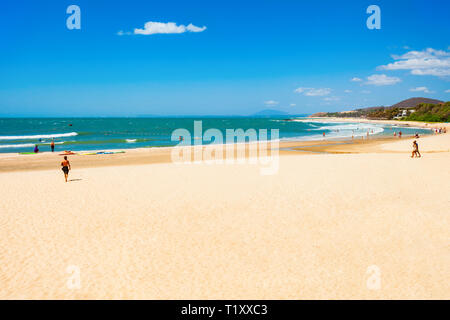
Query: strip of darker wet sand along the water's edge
point(145, 156)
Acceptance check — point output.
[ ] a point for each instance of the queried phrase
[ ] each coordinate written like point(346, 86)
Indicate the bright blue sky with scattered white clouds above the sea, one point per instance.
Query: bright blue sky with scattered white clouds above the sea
point(294, 56)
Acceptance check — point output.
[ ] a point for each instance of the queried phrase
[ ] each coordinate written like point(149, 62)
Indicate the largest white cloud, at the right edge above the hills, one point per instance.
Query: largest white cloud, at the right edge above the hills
point(426, 62)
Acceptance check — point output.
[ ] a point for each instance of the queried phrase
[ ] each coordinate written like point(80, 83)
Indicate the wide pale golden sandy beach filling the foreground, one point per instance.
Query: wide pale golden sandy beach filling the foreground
point(136, 226)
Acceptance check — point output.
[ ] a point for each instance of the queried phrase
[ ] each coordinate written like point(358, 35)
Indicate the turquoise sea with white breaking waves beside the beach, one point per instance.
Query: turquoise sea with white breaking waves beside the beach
point(21, 134)
